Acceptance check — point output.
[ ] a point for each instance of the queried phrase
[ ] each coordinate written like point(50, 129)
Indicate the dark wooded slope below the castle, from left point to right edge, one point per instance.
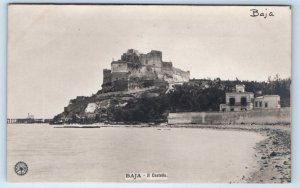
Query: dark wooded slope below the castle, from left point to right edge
point(193, 96)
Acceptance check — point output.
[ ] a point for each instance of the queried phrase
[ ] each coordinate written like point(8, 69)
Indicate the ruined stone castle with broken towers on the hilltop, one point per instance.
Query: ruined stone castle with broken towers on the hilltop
point(136, 70)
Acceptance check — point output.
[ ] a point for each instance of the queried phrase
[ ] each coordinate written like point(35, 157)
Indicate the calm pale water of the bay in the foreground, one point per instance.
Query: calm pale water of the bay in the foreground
point(108, 153)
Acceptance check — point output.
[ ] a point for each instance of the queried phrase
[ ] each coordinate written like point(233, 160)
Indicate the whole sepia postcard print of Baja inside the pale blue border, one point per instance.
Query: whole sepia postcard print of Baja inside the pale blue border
point(149, 93)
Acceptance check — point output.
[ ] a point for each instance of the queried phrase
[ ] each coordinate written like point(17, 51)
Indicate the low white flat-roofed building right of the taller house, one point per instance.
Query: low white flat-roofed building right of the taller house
point(267, 102)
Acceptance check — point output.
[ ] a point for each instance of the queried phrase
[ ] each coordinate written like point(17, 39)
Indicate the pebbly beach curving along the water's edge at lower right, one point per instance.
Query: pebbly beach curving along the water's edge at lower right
point(273, 154)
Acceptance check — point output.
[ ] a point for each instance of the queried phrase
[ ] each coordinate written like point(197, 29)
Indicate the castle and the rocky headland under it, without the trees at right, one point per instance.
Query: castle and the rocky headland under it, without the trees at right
point(133, 77)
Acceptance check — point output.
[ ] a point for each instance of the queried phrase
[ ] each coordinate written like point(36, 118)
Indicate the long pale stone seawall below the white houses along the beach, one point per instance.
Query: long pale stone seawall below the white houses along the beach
point(272, 116)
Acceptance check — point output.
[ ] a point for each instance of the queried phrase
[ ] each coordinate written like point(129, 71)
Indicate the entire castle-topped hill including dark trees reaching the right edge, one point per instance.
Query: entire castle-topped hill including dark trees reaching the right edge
point(142, 88)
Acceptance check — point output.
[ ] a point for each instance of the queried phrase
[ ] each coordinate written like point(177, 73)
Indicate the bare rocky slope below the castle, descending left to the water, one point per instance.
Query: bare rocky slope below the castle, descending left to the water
point(102, 106)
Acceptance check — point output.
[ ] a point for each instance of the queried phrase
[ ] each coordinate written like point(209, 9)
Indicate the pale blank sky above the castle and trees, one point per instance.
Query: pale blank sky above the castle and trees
point(58, 52)
